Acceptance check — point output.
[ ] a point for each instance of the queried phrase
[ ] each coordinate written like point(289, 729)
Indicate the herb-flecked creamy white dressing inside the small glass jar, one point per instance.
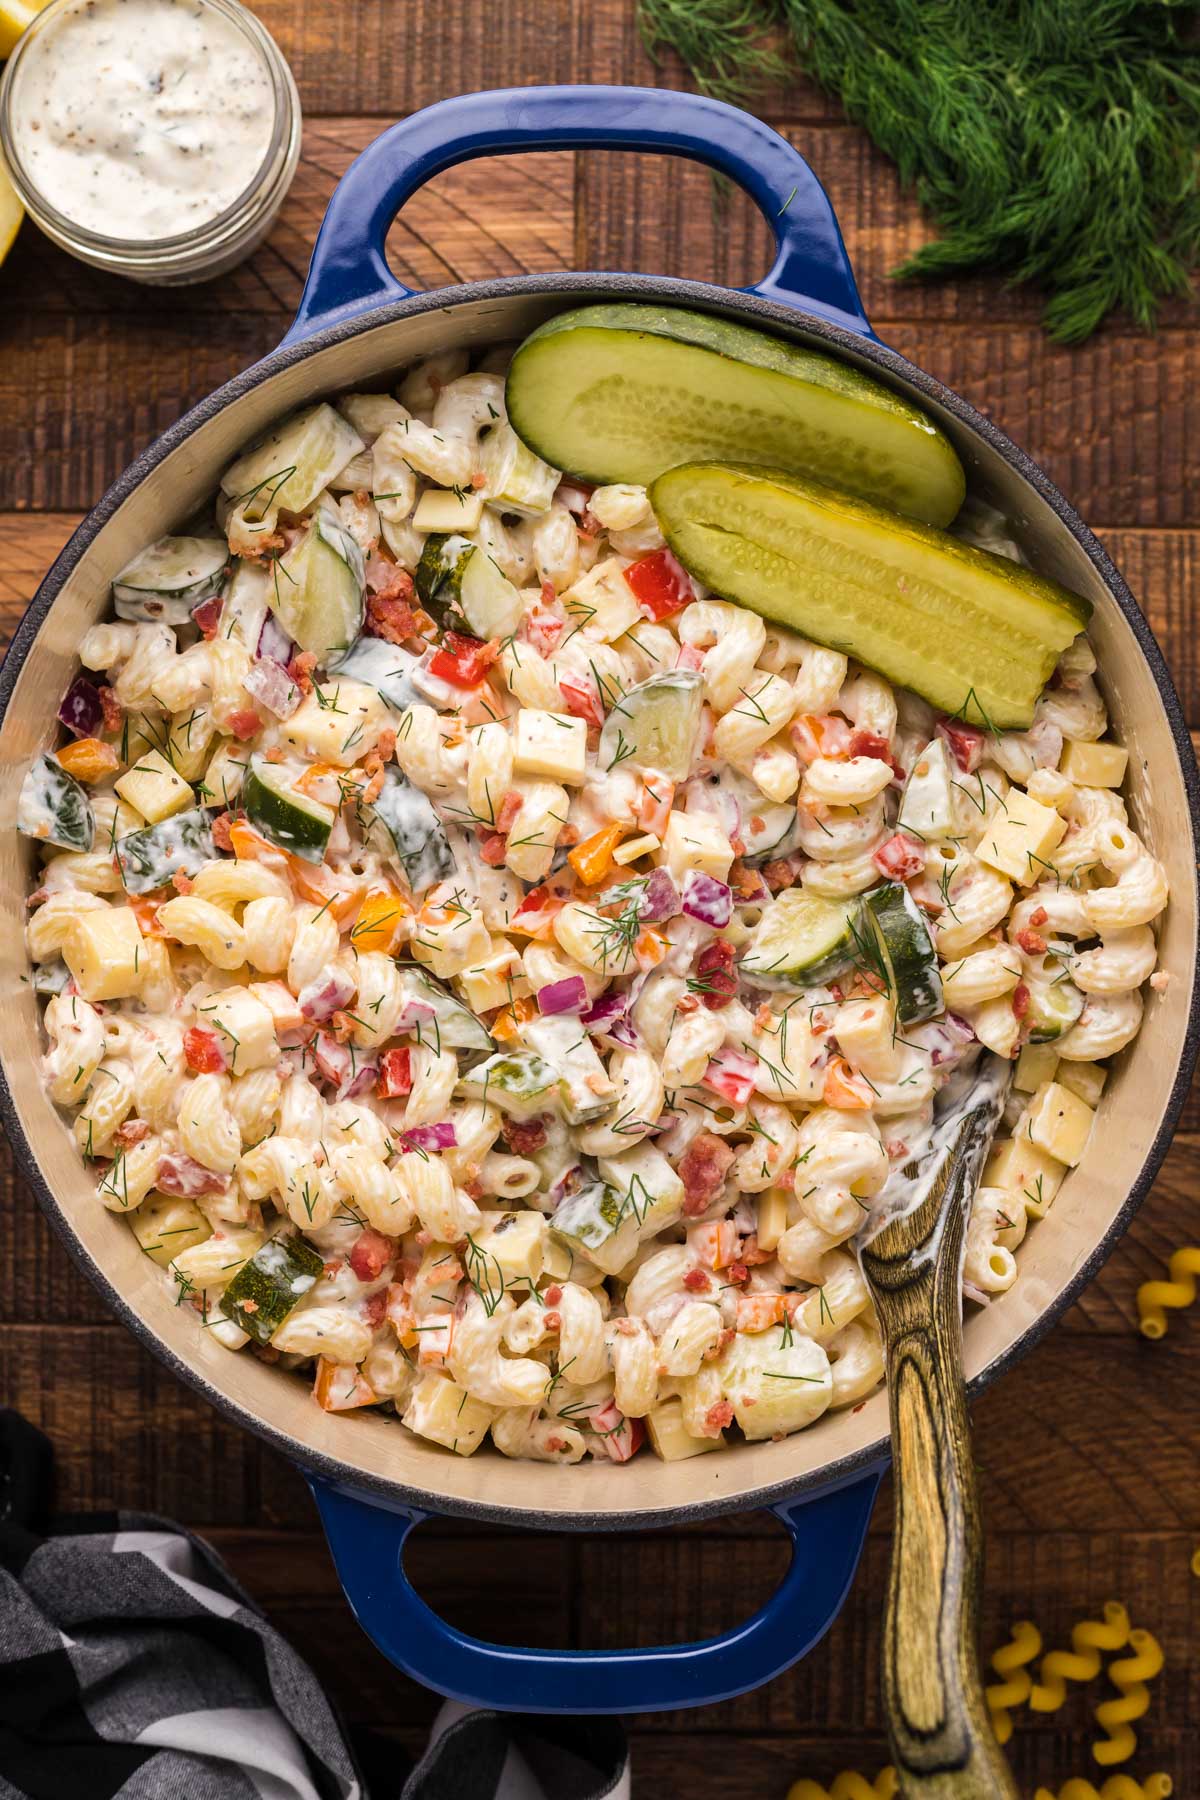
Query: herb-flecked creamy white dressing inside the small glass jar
point(143, 120)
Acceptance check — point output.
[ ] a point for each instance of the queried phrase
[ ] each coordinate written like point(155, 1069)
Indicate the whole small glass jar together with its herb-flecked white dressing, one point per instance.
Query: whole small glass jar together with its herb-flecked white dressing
point(150, 138)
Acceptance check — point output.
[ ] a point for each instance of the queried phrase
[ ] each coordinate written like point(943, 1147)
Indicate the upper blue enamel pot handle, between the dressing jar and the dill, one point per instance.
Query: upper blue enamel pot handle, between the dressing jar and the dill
point(350, 274)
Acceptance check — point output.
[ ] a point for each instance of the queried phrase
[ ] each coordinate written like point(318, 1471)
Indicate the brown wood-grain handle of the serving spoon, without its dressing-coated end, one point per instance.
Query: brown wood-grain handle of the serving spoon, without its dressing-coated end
point(938, 1720)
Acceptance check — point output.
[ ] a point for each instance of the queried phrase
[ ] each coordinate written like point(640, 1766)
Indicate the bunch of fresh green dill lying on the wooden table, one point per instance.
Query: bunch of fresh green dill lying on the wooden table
point(1052, 141)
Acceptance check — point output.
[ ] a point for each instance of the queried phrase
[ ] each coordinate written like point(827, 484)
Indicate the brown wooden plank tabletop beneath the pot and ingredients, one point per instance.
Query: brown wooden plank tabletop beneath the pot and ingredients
point(1088, 1452)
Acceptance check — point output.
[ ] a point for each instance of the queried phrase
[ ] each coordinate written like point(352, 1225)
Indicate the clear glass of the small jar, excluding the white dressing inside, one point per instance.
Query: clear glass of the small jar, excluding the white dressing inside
point(172, 258)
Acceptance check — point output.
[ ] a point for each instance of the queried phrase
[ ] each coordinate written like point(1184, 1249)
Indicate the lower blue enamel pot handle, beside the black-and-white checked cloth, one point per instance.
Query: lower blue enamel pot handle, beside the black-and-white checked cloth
point(368, 1545)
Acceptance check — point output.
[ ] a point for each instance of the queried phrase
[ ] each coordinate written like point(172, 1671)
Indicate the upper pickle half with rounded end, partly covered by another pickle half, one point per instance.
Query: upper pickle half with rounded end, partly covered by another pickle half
point(623, 393)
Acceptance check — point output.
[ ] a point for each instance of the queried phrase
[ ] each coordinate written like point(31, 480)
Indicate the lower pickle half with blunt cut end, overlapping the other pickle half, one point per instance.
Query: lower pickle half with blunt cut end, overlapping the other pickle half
point(974, 634)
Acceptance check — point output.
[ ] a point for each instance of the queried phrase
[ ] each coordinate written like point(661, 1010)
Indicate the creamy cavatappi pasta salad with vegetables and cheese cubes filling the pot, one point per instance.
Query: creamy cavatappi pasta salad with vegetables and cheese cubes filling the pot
point(494, 976)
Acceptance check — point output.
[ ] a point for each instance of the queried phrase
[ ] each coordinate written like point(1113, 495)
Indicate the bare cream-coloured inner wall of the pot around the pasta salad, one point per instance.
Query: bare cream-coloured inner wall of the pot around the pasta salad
point(372, 1444)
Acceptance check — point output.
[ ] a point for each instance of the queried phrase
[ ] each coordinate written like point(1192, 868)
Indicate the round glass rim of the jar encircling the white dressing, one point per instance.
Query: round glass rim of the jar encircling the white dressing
point(201, 238)
